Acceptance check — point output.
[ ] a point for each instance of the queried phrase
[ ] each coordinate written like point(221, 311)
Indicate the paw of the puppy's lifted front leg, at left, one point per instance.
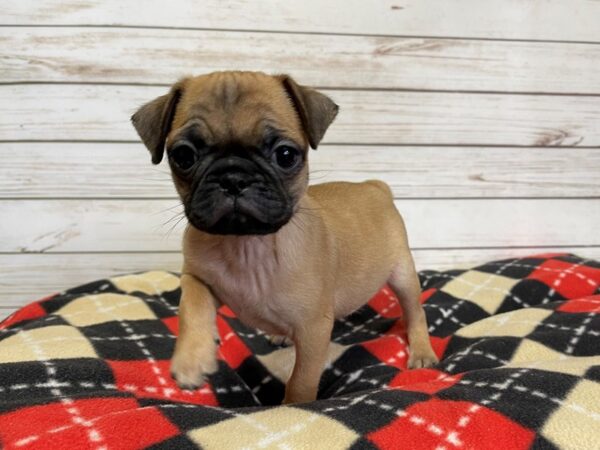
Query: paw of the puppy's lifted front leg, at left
point(191, 364)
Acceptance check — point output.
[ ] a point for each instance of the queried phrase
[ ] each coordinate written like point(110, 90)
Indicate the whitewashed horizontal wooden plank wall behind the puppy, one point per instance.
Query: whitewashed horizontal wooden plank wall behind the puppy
point(483, 116)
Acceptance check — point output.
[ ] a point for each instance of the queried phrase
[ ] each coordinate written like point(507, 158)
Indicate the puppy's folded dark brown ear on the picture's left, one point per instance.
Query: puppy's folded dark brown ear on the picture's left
point(153, 121)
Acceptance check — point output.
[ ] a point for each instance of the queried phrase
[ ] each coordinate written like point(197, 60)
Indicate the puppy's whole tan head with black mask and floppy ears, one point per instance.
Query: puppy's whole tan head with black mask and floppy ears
point(237, 145)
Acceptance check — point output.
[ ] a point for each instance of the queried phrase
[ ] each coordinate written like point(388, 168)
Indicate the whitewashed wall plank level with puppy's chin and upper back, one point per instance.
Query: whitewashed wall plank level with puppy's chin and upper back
point(143, 225)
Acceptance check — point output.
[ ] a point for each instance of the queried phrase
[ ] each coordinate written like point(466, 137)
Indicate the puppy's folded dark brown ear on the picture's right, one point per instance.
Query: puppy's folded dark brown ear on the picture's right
point(316, 110)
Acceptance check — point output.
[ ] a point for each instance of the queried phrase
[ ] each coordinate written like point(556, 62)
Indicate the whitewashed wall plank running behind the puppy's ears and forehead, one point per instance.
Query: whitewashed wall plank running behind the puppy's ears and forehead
point(95, 112)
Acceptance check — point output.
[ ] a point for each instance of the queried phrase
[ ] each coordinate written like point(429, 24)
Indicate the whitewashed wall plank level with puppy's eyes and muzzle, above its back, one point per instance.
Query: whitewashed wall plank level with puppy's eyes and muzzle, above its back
point(46, 170)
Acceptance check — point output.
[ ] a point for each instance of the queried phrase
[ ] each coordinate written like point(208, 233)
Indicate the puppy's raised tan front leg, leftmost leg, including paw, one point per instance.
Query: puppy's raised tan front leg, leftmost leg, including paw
point(195, 349)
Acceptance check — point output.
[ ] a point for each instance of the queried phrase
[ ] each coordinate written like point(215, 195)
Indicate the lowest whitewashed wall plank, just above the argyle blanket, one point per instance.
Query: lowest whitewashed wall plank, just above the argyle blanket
point(28, 277)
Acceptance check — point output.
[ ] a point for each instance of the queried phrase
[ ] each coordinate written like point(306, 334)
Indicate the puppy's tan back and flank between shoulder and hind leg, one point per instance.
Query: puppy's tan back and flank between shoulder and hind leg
point(370, 239)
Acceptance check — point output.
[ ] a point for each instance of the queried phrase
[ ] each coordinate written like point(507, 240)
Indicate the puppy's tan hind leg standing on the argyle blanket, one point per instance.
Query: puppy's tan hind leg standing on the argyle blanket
point(405, 284)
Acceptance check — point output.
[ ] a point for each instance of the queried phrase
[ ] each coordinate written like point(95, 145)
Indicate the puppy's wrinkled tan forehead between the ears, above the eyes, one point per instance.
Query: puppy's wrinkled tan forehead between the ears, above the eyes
point(236, 107)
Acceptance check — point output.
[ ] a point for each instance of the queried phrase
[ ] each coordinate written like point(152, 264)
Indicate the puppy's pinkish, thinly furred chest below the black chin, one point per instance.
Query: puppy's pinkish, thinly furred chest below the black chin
point(243, 275)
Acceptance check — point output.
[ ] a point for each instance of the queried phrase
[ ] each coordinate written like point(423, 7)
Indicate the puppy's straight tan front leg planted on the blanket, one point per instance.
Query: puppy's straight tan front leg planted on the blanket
point(311, 341)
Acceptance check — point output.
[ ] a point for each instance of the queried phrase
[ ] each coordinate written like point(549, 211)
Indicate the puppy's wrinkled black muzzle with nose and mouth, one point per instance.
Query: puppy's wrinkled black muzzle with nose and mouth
point(235, 197)
